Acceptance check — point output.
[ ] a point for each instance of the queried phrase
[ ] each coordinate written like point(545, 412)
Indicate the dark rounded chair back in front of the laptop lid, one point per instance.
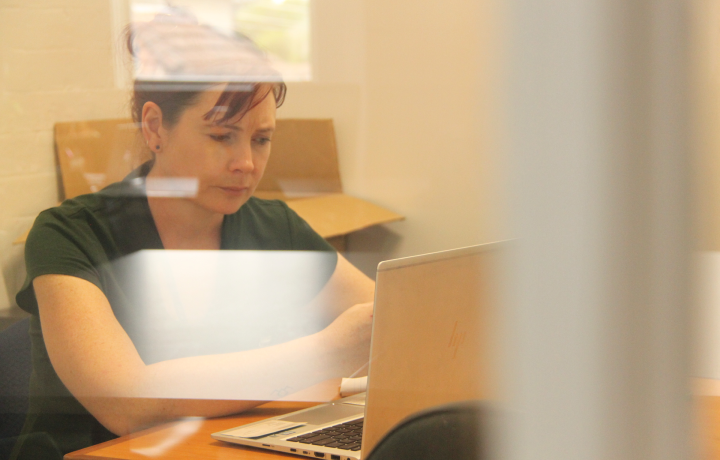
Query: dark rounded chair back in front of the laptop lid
point(457, 431)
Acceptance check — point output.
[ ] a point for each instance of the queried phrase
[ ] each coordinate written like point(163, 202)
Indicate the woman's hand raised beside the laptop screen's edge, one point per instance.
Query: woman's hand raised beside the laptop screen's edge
point(349, 337)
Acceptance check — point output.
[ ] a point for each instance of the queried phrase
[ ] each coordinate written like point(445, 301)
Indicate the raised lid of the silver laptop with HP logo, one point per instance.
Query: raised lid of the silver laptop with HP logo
point(432, 334)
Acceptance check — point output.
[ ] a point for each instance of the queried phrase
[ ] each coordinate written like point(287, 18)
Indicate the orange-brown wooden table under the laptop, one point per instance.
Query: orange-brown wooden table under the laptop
point(190, 439)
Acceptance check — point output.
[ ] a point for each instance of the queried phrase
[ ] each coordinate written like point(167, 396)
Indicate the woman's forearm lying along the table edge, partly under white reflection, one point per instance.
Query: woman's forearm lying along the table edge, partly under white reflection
point(215, 385)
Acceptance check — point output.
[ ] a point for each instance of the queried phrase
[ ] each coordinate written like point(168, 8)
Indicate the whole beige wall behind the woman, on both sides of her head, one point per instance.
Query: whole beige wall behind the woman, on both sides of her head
point(410, 86)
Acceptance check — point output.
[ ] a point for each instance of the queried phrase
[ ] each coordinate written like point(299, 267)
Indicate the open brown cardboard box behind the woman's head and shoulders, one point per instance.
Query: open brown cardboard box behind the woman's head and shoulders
point(303, 171)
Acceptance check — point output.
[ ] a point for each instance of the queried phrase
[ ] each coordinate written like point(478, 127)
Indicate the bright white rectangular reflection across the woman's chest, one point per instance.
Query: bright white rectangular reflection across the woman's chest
point(176, 304)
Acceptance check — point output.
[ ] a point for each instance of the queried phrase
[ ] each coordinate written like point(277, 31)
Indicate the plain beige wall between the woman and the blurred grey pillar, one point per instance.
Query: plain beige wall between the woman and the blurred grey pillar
point(412, 87)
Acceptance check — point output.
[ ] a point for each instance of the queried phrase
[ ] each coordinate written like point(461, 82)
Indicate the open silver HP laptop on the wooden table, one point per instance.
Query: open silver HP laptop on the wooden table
point(431, 344)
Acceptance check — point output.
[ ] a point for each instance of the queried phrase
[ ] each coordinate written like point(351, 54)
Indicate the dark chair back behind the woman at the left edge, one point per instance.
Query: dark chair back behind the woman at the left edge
point(15, 370)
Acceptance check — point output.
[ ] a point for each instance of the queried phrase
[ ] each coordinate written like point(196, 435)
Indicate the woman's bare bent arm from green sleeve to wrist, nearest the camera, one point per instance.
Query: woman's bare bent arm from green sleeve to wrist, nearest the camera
point(97, 361)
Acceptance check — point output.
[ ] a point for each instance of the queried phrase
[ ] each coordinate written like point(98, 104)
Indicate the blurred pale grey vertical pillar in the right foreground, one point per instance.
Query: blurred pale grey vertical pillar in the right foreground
point(599, 288)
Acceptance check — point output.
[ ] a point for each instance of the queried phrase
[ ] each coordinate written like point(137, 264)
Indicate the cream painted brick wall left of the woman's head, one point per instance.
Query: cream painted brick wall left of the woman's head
point(56, 65)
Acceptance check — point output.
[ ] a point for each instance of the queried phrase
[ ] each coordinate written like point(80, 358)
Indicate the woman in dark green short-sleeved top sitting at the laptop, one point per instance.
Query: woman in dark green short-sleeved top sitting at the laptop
point(90, 383)
